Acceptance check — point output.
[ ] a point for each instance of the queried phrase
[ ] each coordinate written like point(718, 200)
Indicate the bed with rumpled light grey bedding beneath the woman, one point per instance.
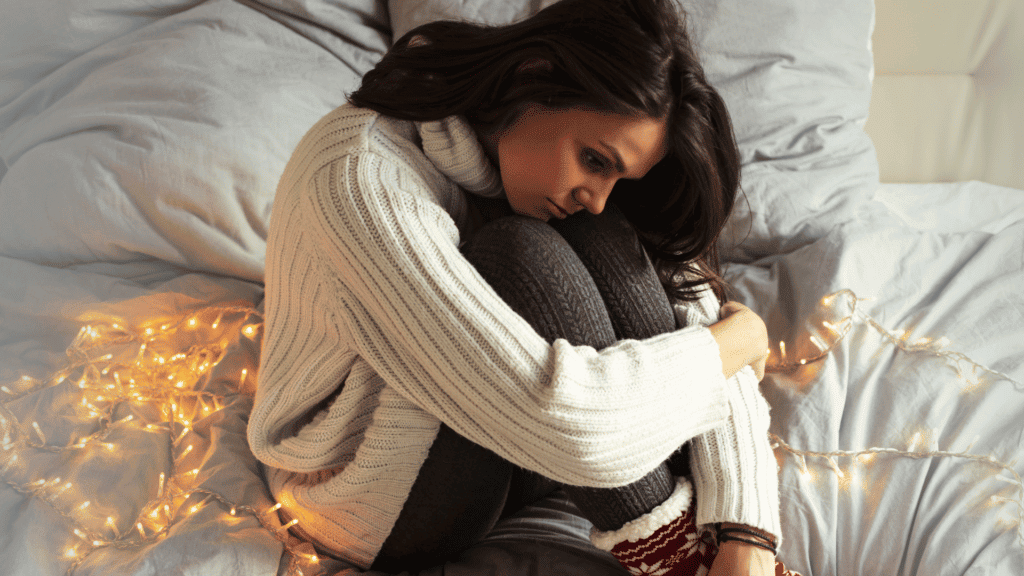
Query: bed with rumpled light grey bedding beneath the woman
point(881, 236)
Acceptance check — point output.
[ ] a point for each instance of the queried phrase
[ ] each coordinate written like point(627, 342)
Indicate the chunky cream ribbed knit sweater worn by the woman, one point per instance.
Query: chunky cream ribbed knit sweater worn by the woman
point(377, 331)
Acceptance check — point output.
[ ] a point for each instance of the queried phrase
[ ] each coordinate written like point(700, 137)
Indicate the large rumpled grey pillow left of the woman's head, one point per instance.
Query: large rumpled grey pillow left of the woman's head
point(159, 133)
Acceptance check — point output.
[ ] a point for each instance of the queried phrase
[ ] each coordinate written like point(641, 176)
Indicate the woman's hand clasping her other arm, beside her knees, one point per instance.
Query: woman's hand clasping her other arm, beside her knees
point(743, 340)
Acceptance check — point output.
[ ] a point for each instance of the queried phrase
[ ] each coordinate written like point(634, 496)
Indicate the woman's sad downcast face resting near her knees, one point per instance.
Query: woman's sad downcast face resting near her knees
point(558, 162)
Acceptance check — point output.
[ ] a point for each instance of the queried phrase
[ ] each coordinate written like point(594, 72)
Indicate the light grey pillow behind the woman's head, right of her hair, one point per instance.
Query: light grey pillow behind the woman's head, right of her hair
point(796, 76)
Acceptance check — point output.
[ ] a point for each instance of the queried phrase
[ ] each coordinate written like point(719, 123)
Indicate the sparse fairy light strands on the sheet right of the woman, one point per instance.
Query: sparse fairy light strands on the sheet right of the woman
point(825, 336)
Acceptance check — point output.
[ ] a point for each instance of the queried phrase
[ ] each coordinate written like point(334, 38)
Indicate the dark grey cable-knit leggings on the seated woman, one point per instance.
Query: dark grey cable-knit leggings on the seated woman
point(585, 279)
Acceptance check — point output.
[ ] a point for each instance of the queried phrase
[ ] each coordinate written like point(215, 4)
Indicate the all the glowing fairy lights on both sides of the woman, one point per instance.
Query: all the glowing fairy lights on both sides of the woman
point(154, 379)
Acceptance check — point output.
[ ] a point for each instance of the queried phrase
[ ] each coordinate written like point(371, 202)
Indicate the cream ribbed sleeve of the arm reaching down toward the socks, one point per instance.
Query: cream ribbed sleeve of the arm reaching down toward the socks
point(735, 470)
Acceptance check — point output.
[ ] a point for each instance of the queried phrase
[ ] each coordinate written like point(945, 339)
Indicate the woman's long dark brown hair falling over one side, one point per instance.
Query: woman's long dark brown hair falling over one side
point(625, 57)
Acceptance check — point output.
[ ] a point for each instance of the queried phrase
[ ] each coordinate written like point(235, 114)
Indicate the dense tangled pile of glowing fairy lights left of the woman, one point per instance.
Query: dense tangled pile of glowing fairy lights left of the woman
point(142, 380)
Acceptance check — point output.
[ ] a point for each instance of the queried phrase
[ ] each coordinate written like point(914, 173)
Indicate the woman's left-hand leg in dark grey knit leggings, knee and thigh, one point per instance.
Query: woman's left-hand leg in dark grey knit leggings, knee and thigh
point(462, 488)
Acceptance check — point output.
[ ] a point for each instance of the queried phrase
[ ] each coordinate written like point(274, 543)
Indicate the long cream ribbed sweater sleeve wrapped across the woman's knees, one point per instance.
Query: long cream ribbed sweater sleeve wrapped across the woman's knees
point(425, 321)
